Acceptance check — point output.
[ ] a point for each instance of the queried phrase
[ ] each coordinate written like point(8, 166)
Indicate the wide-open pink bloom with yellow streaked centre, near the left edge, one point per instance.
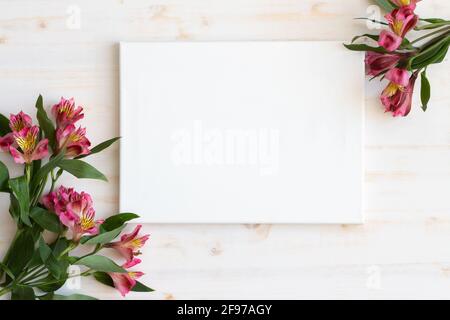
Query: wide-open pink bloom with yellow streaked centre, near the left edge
point(30, 147)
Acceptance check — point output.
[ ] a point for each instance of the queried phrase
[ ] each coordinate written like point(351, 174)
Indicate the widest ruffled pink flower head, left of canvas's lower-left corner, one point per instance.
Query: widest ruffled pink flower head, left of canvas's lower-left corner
point(74, 210)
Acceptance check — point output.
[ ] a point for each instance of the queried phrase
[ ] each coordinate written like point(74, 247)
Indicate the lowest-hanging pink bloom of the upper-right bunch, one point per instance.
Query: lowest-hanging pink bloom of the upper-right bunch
point(397, 97)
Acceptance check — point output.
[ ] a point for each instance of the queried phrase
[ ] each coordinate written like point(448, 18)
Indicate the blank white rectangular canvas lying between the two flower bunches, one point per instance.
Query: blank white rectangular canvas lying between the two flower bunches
point(241, 132)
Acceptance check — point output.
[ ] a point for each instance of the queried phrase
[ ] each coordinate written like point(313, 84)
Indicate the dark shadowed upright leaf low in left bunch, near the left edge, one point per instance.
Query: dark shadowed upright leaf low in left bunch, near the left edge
point(22, 251)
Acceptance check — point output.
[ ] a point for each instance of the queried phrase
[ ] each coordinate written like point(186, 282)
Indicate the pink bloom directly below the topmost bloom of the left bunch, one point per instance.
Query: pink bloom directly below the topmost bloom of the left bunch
point(74, 140)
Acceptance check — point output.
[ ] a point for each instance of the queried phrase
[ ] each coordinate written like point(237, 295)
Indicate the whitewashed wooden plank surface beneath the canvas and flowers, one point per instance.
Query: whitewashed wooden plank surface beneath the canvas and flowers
point(403, 251)
